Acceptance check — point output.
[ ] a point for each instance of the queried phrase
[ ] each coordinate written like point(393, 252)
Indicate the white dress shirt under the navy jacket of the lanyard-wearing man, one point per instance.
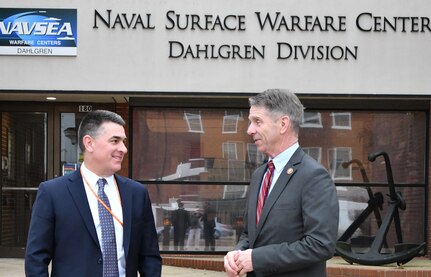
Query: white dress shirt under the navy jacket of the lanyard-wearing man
point(113, 194)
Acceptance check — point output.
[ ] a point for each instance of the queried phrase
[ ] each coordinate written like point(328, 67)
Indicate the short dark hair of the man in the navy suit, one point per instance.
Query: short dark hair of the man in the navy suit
point(90, 124)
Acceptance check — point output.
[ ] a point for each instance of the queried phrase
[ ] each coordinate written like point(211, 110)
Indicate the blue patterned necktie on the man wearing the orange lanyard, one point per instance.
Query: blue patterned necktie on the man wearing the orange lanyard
point(109, 246)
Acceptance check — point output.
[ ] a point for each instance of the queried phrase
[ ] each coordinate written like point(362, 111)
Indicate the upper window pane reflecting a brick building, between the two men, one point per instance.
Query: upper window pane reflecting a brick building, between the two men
point(165, 149)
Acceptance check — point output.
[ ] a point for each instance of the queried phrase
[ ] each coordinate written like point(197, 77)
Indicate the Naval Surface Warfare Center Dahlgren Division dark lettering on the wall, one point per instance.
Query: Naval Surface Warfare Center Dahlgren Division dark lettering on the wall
point(283, 27)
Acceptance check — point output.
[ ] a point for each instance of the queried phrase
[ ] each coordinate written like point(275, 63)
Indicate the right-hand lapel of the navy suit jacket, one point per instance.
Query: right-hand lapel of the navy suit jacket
point(126, 201)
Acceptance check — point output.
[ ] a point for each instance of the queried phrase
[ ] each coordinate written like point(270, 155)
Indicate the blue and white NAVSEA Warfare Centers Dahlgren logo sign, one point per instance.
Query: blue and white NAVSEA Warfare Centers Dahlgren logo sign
point(44, 32)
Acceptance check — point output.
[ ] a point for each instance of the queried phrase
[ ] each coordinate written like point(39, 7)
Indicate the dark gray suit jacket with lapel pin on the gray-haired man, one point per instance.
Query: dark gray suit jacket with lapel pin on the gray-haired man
point(298, 227)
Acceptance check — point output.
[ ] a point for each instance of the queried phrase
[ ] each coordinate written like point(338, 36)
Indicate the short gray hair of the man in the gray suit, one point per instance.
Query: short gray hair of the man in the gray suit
point(279, 102)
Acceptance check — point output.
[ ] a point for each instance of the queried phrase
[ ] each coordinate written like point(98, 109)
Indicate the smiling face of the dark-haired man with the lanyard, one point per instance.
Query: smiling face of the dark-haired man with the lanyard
point(109, 148)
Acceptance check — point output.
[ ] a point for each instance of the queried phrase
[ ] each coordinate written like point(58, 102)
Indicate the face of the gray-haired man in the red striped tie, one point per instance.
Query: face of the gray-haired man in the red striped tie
point(264, 130)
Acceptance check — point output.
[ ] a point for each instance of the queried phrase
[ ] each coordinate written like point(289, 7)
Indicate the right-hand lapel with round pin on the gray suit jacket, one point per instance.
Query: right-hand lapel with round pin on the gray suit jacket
point(288, 171)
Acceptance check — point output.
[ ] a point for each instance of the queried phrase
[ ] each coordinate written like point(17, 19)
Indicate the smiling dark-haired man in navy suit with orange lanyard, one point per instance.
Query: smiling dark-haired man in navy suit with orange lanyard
point(65, 228)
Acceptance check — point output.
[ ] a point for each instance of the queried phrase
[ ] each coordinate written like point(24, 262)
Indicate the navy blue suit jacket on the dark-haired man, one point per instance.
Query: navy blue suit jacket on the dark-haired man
point(62, 231)
